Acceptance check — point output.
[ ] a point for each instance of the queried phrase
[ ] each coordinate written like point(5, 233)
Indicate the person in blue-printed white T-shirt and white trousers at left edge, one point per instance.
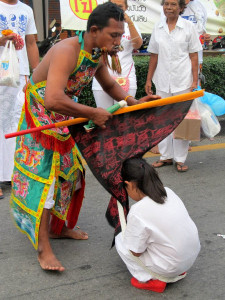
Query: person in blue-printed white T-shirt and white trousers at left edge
point(18, 17)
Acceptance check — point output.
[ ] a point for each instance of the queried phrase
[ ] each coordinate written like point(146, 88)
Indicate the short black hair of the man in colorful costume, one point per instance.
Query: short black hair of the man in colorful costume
point(102, 13)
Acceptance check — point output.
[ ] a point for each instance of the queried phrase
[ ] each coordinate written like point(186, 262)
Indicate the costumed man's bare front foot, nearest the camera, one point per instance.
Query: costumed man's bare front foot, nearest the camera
point(49, 262)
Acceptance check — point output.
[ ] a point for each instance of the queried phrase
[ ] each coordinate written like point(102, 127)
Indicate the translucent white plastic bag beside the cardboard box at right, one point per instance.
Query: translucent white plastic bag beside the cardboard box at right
point(209, 122)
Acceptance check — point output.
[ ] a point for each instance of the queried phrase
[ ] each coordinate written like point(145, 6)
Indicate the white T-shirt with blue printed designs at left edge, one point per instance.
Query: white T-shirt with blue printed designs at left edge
point(20, 19)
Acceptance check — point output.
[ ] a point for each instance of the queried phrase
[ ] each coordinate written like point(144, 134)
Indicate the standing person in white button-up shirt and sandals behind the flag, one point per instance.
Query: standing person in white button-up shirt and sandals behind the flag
point(173, 67)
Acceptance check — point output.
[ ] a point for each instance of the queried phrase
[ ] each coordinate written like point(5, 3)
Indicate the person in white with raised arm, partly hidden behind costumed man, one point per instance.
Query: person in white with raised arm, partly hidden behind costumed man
point(130, 40)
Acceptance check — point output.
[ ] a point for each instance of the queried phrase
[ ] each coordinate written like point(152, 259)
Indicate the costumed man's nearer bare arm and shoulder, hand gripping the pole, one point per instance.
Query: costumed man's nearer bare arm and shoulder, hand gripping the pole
point(62, 61)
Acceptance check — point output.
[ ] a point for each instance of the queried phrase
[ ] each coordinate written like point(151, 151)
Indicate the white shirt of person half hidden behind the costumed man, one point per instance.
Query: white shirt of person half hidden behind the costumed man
point(126, 60)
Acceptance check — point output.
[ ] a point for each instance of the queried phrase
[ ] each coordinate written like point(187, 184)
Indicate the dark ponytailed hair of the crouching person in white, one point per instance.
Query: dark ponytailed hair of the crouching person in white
point(146, 178)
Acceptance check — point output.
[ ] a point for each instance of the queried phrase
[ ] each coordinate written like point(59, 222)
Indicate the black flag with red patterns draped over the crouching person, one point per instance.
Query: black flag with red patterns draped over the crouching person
point(127, 135)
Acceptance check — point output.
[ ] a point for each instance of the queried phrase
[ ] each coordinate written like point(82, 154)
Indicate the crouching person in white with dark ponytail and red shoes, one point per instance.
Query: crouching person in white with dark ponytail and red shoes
point(159, 230)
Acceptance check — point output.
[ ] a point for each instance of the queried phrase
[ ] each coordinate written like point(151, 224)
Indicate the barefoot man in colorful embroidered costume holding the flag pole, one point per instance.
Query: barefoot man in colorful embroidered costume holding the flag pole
point(48, 174)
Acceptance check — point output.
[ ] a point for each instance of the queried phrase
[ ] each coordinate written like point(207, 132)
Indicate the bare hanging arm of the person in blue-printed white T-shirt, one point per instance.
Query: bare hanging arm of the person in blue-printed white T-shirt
point(32, 50)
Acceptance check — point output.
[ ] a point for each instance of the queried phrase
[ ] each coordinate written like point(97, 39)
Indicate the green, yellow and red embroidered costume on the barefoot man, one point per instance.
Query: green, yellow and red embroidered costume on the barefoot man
point(41, 157)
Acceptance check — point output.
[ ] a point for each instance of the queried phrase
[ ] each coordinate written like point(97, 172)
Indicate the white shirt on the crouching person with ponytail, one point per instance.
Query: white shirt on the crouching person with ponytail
point(165, 233)
